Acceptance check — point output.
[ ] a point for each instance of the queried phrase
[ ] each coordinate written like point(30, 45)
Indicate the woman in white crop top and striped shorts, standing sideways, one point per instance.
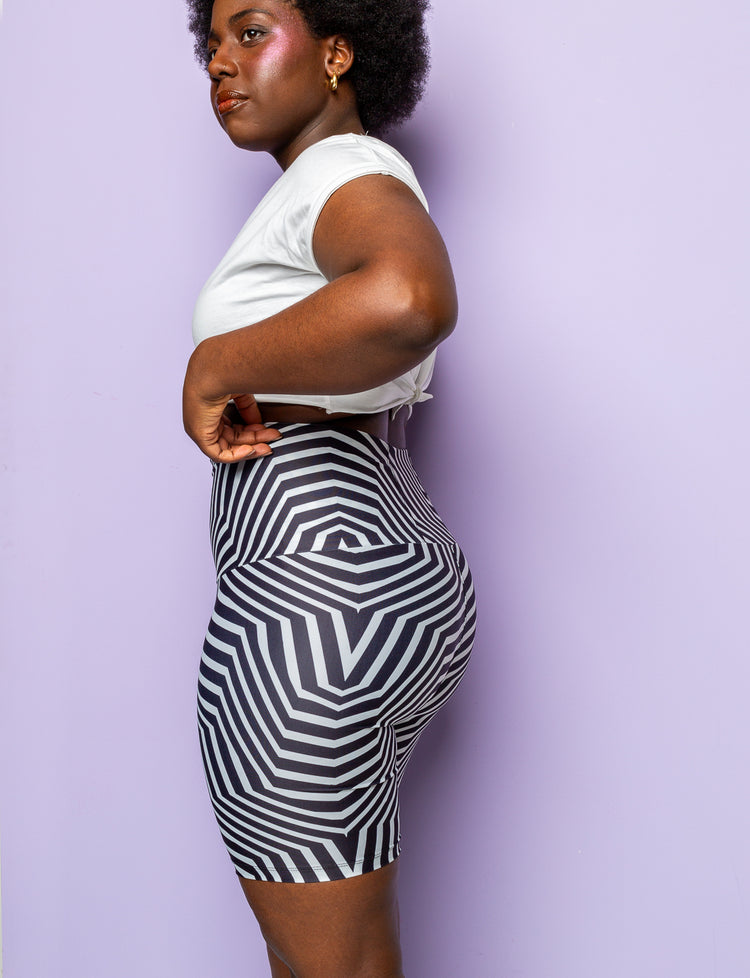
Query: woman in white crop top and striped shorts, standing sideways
point(344, 615)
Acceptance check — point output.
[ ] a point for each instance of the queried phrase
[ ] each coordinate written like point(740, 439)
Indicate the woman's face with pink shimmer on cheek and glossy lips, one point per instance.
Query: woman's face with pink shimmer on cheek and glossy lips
point(269, 85)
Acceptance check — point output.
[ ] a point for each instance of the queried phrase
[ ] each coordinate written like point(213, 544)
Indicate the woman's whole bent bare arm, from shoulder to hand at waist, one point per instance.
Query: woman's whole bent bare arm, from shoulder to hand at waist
point(389, 301)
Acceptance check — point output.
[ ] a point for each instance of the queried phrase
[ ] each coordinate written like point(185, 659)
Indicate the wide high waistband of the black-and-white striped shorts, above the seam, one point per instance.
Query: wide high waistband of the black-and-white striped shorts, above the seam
point(323, 487)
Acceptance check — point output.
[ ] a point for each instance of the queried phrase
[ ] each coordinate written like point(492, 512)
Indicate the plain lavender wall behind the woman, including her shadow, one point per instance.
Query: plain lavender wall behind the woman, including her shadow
point(581, 808)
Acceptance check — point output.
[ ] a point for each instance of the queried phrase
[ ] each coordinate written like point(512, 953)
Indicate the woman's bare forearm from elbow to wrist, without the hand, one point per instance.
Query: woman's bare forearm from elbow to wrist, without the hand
point(357, 332)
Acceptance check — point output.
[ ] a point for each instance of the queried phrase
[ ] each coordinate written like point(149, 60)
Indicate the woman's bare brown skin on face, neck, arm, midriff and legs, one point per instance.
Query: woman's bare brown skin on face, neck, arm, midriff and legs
point(390, 299)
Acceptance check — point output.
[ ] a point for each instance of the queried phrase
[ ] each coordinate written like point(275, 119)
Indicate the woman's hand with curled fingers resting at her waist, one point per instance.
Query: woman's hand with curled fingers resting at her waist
point(207, 421)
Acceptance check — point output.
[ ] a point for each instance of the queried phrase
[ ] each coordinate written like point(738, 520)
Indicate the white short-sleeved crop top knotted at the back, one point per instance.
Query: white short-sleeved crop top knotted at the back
point(270, 264)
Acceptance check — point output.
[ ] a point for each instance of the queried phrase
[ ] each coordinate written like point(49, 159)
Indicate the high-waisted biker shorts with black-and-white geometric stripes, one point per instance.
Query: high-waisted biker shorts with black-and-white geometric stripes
point(344, 619)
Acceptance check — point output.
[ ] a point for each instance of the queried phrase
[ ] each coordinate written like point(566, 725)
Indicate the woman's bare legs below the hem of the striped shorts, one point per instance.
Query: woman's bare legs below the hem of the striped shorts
point(338, 929)
